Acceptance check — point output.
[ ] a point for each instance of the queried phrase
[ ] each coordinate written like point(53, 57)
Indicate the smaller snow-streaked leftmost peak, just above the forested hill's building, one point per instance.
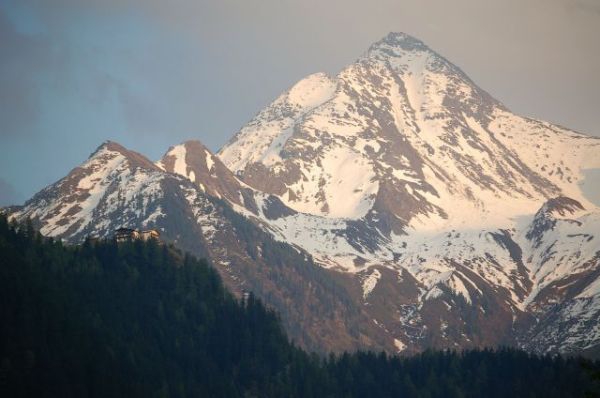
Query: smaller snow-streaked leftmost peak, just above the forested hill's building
point(113, 183)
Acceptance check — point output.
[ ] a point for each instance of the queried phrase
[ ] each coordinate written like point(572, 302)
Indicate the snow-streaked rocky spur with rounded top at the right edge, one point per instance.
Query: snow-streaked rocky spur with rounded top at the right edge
point(561, 248)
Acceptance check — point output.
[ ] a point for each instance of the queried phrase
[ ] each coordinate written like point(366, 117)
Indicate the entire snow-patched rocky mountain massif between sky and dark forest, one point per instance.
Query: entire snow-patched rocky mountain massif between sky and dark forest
point(394, 206)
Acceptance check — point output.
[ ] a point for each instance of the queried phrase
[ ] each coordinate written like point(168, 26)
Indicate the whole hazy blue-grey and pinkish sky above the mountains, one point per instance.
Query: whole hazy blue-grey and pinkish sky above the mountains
point(150, 74)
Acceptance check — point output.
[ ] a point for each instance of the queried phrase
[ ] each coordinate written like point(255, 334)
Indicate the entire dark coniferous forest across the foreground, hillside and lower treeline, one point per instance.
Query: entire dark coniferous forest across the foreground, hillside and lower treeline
point(141, 319)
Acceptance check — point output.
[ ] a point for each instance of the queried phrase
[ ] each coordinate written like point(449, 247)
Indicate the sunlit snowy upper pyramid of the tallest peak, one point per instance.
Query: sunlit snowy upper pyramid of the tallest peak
point(398, 136)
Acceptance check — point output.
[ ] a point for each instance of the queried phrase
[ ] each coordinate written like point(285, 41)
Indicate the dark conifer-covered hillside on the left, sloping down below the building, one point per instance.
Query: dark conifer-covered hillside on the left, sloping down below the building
point(128, 320)
